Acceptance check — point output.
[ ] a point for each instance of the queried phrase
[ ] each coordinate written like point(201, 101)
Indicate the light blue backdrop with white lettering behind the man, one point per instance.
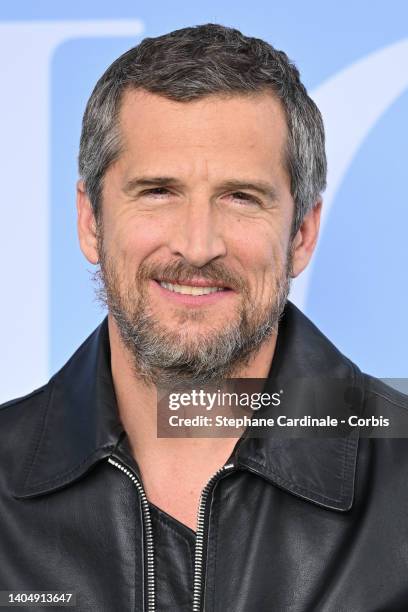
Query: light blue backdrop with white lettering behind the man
point(353, 58)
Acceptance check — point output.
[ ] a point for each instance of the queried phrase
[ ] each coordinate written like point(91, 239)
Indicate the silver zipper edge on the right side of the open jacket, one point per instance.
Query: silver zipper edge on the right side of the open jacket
point(199, 548)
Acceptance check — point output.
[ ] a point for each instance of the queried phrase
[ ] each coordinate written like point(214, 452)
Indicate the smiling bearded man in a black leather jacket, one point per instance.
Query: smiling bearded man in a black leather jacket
point(202, 166)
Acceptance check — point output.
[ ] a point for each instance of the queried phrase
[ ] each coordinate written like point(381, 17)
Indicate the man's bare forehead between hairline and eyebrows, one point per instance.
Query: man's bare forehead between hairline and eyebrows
point(237, 130)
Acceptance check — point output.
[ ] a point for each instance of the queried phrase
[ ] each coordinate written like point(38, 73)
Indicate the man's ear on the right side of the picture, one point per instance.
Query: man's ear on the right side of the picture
point(305, 240)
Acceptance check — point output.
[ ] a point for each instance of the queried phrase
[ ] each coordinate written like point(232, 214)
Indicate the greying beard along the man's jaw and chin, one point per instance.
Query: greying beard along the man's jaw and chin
point(168, 358)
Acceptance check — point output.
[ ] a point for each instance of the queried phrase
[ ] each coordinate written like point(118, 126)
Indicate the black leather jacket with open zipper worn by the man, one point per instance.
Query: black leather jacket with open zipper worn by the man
point(316, 525)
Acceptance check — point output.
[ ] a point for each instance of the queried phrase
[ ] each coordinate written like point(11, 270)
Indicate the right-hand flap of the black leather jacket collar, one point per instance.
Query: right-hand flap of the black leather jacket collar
point(321, 470)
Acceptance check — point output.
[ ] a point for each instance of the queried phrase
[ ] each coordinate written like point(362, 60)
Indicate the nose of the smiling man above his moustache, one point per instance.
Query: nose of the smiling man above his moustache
point(198, 235)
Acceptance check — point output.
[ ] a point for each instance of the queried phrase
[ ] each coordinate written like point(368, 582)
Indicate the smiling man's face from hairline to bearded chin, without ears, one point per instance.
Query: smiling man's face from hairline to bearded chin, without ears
point(199, 194)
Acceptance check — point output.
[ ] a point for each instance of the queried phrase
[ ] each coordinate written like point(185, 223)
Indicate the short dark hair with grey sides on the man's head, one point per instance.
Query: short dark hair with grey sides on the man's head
point(195, 62)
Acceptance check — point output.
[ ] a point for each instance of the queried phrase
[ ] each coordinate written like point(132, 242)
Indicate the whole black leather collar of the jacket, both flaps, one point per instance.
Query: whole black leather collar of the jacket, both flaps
point(81, 425)
